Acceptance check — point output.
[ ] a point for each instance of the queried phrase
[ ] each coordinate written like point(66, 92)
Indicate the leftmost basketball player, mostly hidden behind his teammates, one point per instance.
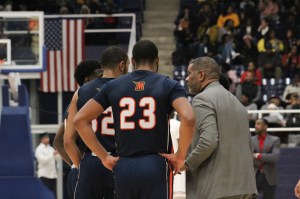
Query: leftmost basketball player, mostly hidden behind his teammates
point(85, 71)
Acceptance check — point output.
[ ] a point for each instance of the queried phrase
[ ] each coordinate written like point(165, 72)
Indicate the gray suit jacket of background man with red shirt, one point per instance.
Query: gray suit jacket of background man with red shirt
point(270, 156)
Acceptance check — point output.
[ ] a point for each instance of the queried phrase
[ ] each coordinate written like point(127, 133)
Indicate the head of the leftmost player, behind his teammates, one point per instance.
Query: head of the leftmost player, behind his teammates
point(86, 71)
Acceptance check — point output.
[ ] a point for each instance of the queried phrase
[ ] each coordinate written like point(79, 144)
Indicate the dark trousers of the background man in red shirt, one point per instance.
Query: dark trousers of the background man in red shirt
point(263, 186)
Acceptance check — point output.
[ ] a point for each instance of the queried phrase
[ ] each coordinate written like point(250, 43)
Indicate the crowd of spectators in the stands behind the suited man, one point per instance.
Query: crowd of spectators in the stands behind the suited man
point(256, 44)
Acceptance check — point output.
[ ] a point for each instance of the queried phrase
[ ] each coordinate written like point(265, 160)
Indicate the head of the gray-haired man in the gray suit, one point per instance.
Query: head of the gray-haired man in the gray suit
point(201, 72)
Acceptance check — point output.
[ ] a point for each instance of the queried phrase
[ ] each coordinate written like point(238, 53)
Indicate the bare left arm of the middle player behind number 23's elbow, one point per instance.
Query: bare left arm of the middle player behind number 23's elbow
point(71, 135)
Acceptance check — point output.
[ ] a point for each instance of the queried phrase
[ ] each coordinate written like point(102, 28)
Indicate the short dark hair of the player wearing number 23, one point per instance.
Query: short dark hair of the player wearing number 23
point(144, 51)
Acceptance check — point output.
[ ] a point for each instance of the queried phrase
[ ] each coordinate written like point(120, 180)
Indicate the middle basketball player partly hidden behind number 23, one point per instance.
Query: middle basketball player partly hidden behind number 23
point(96, 181)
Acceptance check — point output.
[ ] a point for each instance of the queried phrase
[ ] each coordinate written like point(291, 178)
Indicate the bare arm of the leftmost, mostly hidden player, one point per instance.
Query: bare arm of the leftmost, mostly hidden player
point(59, 144)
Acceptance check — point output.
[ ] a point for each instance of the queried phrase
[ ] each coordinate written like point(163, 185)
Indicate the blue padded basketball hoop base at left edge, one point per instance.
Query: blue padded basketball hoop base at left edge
point(17, 176)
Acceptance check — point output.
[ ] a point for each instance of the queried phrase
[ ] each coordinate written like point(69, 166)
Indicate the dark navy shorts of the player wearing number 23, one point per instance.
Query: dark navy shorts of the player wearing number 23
point(143, 177)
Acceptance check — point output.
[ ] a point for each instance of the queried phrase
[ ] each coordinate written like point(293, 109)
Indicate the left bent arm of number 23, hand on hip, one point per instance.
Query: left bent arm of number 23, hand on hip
point(82, 122)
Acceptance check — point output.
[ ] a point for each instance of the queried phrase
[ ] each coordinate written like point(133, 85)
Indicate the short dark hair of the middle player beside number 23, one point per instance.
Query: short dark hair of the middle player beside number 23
point(112, 56)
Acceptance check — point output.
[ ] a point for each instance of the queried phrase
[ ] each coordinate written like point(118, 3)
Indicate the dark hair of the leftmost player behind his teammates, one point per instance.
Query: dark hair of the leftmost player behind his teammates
point(84, 69)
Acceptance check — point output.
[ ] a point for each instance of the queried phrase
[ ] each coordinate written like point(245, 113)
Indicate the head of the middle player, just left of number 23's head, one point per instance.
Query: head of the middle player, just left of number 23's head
point(115, 58)
